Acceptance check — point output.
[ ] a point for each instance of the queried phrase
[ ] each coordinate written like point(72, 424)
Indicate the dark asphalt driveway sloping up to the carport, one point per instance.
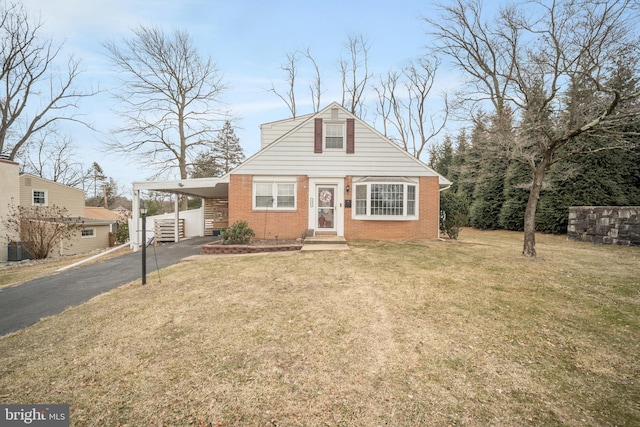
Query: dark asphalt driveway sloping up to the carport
point(25, 304)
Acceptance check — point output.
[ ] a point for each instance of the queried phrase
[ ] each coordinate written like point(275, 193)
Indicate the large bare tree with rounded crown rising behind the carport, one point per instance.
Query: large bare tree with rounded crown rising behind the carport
point(170, 99)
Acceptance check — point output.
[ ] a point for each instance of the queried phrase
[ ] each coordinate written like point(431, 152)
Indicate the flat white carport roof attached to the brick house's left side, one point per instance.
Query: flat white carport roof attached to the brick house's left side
point(210, 188)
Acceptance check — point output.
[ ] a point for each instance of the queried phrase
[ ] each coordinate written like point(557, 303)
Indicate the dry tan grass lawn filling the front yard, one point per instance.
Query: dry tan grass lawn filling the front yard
point(399, 334)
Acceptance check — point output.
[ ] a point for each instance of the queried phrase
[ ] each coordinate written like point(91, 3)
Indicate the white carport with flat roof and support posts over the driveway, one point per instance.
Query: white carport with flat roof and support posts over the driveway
point(205, 188)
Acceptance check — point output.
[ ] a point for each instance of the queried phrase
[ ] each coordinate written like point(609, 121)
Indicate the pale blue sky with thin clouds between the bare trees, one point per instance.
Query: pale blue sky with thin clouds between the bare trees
point(247, 40)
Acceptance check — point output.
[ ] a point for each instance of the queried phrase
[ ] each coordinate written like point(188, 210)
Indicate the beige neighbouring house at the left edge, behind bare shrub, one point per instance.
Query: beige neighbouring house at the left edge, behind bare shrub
point(32, 191)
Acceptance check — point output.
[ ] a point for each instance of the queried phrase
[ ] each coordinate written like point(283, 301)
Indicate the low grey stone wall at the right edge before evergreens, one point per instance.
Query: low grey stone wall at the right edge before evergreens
point(613, 225)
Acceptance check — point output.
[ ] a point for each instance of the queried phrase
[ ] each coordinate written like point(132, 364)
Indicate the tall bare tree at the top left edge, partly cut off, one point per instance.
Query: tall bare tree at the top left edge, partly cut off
point(33, 96)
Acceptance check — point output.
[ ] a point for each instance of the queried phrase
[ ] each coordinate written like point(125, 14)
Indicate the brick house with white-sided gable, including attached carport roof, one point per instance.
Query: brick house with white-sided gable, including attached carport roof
point(329, 172)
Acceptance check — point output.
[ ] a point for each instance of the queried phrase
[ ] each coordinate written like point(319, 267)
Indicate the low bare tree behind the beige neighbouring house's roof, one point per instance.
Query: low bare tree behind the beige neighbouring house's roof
point(53, 157)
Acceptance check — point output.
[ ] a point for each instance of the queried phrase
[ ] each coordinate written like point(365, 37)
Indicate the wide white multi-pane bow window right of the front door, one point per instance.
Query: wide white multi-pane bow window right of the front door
point(385, 200)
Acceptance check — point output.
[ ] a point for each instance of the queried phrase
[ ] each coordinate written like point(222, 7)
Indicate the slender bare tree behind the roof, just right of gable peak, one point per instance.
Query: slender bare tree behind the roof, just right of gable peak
point(355, 74)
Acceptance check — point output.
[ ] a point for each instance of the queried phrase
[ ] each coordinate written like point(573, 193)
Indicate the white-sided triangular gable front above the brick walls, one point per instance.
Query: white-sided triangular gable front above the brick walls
point(292, 153)
